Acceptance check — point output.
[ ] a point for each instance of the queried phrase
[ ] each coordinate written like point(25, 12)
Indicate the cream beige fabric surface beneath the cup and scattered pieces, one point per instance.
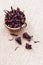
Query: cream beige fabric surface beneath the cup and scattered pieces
point(33, 10)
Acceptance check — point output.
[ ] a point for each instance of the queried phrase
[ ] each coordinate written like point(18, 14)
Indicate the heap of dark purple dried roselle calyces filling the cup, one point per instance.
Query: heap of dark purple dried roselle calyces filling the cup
point(14, 18)
